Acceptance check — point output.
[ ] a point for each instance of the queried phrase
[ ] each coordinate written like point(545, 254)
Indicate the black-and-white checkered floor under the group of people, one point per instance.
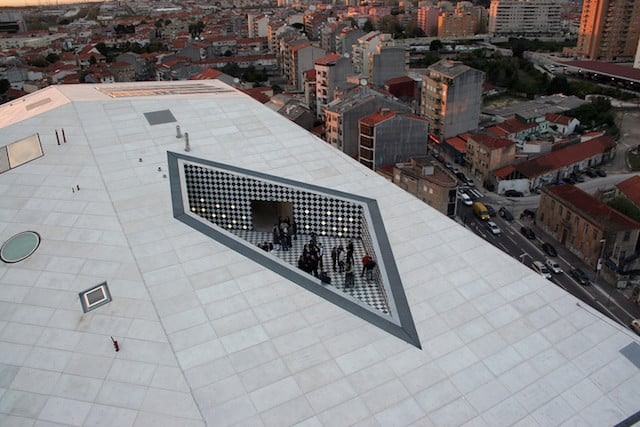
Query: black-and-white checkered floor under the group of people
point(368, 291)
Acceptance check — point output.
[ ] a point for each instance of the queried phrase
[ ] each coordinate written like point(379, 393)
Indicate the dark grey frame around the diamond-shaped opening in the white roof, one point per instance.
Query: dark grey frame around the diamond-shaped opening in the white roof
point(402, 327)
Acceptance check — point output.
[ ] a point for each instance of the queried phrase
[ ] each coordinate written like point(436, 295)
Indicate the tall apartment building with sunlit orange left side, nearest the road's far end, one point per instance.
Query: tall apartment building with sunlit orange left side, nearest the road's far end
point(451, 98)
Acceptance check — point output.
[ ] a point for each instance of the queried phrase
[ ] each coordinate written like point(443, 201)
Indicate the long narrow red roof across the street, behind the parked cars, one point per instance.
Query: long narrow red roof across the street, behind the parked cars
point(565, 156)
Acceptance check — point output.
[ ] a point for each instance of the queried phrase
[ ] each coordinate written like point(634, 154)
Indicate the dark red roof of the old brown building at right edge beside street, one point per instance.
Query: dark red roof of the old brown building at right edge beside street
point(592, 208)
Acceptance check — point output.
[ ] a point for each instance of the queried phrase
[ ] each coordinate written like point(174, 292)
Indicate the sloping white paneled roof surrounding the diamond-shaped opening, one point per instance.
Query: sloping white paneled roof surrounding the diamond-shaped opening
point(209, 337)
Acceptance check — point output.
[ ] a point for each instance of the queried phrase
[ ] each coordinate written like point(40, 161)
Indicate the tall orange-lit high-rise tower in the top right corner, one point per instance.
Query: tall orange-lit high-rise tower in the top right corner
point(609, 30)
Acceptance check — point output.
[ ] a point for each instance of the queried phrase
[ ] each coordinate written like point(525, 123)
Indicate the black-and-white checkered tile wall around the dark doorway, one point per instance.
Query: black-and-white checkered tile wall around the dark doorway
point(225, 198)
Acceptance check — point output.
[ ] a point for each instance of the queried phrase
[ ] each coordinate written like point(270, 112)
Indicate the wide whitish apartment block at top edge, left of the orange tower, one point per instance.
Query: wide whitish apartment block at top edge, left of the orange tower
point(524, 17)
